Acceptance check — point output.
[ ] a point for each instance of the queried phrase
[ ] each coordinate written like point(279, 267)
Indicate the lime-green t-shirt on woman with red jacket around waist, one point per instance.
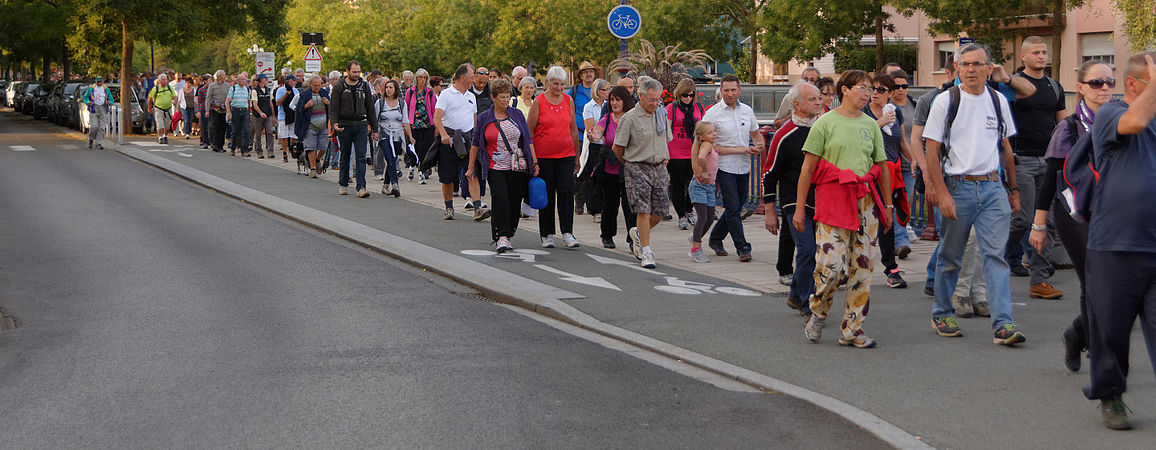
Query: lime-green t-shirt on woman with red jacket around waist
point(849, 144)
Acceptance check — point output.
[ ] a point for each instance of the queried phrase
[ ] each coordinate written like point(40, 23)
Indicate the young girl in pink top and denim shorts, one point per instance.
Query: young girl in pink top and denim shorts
point(705, 159)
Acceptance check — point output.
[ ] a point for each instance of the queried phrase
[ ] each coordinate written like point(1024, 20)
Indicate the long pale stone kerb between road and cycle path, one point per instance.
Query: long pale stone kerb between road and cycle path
point(516, 291)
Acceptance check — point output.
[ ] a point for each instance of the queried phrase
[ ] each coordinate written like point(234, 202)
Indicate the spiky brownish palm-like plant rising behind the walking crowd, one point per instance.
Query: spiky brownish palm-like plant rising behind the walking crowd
point(664, 63)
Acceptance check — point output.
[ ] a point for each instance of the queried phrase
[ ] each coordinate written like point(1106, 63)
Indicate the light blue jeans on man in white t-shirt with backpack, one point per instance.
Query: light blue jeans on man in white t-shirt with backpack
point(985, 206)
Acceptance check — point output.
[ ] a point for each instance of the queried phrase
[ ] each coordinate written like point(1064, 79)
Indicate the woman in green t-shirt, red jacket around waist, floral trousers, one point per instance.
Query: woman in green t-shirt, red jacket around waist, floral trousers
point(846, 159)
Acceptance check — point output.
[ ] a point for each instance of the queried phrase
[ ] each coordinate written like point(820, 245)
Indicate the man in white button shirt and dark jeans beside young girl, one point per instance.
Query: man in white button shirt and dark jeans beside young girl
point(738, 141)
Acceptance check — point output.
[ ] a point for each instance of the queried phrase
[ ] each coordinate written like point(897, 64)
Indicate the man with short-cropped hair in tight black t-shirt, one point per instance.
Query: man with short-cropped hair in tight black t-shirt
point(1036, 116)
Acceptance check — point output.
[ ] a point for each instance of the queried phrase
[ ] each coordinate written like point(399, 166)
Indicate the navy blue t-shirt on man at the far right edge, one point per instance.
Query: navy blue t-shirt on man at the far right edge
point(1121, 216)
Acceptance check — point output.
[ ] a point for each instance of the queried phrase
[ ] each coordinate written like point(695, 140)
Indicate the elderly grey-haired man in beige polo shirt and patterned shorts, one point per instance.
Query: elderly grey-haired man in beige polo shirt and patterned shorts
point(641, 143)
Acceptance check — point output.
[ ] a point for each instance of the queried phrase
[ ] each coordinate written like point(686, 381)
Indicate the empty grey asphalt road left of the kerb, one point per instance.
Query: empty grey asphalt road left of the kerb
point(158, 314)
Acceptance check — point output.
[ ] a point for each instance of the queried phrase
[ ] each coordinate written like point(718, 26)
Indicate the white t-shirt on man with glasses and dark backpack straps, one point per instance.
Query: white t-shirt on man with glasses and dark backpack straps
point(975, 134)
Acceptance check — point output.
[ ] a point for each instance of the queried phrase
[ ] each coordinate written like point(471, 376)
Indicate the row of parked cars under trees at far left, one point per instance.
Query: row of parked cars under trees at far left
point(61, 102)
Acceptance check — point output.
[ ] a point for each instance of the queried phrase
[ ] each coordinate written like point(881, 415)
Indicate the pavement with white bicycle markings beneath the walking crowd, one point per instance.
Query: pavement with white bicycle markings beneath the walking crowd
point(953, 393)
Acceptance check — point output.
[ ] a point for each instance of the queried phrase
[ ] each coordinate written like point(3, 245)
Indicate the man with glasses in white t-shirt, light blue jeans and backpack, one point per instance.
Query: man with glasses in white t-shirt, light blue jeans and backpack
point(969, 190)
